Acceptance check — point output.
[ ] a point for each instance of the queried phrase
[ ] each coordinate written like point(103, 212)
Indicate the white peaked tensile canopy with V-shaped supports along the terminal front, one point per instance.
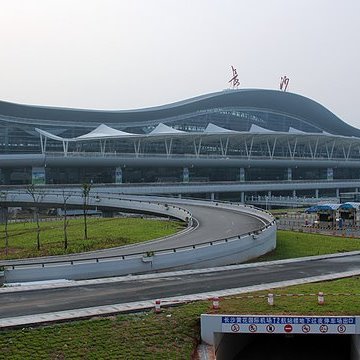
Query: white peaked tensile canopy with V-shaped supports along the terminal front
point(212, 135)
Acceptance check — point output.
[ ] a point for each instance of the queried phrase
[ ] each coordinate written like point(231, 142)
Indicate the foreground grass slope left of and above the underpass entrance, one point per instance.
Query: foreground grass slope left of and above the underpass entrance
point(174, 333)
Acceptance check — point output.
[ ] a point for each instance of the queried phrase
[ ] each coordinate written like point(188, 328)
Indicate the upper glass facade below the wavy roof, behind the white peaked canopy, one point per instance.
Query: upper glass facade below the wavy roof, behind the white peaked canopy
point(23, 138)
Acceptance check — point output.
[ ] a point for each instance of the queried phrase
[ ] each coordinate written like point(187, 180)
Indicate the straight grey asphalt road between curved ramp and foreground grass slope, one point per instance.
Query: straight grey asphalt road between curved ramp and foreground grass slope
point(66, 298)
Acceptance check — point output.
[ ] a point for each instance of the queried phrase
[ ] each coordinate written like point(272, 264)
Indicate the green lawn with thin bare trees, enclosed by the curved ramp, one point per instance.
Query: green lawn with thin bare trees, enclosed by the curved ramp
point(102, 233)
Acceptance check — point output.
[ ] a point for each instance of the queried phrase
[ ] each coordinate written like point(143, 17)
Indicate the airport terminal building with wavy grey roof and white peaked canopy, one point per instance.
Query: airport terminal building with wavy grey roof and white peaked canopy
point(246, 137)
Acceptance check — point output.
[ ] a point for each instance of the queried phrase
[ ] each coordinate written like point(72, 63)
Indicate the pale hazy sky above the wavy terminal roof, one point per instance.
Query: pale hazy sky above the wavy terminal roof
point(123, 54)
